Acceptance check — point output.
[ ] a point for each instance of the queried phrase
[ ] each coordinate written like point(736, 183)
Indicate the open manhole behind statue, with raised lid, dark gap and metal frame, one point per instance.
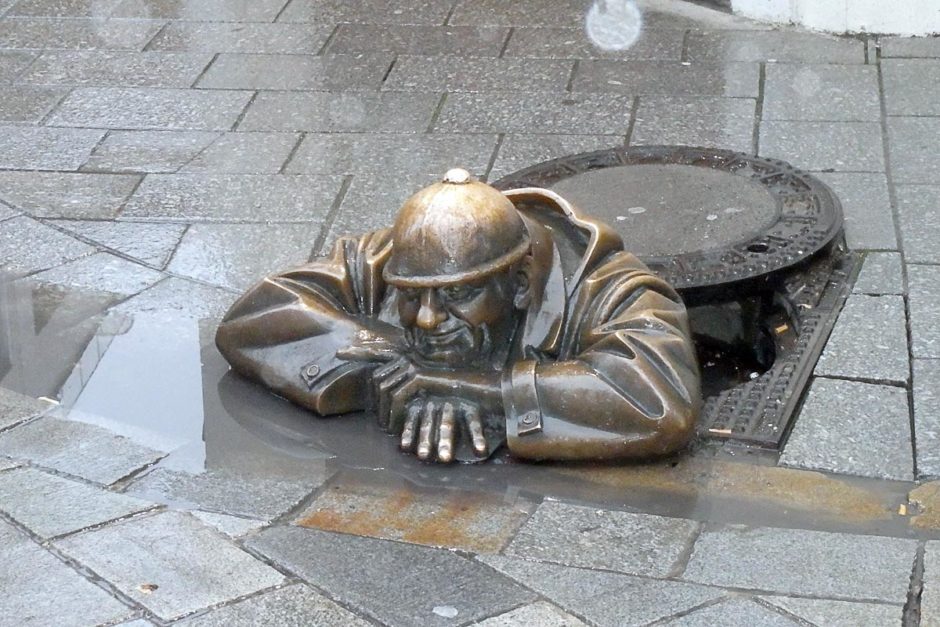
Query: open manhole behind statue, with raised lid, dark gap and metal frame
point(754, 246)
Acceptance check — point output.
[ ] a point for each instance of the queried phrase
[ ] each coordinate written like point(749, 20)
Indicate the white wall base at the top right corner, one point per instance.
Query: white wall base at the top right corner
point(901, 17)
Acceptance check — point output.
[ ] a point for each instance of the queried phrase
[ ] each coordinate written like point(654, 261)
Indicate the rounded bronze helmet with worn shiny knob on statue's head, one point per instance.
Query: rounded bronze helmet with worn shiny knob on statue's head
point(454, 231)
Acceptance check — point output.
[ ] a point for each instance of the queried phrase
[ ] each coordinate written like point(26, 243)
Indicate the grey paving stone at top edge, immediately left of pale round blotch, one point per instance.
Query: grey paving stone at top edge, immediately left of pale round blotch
point(518, 13)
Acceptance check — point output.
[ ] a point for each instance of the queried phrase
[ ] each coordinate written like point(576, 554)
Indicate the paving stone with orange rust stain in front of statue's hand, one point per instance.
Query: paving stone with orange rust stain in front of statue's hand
point(455, 519)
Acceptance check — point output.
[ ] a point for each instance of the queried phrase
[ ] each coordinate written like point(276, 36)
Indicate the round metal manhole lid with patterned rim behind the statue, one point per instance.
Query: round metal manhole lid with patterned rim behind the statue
point(699, 217)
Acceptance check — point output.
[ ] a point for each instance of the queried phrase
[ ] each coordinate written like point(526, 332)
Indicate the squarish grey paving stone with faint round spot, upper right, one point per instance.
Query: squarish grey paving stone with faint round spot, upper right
point(821, 92)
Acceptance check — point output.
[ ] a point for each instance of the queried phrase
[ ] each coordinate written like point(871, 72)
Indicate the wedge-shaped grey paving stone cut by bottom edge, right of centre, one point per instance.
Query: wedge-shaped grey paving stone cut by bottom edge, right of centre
point(605, 598)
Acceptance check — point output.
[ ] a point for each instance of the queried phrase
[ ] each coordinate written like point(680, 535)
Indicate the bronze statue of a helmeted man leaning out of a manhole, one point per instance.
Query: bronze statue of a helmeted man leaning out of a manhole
point(481, 317)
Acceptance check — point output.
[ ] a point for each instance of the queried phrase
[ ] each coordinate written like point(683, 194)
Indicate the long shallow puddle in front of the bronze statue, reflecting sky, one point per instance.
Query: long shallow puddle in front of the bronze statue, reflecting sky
point(158, 379)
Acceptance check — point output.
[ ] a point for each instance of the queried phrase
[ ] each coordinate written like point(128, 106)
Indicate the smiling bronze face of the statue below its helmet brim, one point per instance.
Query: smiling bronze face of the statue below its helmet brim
point(464, 325)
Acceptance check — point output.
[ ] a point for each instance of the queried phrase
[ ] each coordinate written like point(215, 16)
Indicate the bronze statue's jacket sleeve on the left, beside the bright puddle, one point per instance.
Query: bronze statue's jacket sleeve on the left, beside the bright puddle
point(285, 331)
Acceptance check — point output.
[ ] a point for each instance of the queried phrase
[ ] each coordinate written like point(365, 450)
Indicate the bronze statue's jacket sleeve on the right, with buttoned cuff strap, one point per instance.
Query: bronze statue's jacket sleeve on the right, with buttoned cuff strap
point(627, 383)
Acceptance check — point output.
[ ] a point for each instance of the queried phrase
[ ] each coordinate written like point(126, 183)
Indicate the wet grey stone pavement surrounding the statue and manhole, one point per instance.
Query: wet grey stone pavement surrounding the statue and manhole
point(158, 156)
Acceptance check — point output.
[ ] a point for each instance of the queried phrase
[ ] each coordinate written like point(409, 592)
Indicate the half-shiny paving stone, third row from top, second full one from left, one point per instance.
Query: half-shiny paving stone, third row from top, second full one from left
point(296, 72)
